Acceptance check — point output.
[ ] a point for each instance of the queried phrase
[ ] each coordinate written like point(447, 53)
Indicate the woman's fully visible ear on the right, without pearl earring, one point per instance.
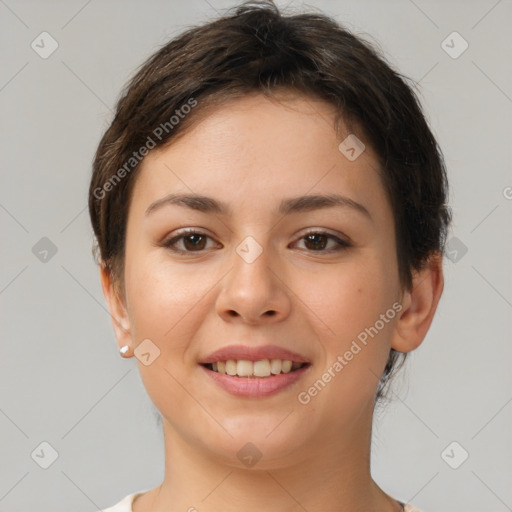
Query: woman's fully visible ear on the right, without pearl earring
point(419, 305)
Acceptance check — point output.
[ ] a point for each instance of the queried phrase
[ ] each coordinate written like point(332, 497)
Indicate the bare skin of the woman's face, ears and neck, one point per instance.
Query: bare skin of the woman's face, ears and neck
point(251, 153)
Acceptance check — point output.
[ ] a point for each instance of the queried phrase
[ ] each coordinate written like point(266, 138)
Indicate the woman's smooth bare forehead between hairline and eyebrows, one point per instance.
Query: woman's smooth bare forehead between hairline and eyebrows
point(258, 148)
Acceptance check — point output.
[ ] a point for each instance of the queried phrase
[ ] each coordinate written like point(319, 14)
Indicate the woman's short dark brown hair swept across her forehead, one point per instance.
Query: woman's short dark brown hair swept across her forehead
point(256, 48)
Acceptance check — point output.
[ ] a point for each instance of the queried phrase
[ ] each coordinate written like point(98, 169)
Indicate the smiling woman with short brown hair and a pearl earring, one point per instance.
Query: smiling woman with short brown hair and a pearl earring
point(269, 206)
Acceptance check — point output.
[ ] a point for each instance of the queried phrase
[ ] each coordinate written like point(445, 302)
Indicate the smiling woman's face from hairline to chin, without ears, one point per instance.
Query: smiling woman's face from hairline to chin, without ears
point(253, 273)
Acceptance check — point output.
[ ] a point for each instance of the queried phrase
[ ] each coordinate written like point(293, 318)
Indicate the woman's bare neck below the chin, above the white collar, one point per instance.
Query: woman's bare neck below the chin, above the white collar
point(331, 474)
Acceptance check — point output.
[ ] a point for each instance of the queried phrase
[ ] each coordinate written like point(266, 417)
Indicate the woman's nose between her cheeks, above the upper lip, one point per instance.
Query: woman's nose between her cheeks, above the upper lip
point(254, 292)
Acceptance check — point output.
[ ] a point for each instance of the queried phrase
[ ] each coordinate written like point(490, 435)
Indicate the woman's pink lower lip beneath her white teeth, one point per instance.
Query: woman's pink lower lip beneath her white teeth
point(255, 387)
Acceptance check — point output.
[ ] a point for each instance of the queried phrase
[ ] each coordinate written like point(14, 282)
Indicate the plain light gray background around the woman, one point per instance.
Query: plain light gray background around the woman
point(62, 379)
